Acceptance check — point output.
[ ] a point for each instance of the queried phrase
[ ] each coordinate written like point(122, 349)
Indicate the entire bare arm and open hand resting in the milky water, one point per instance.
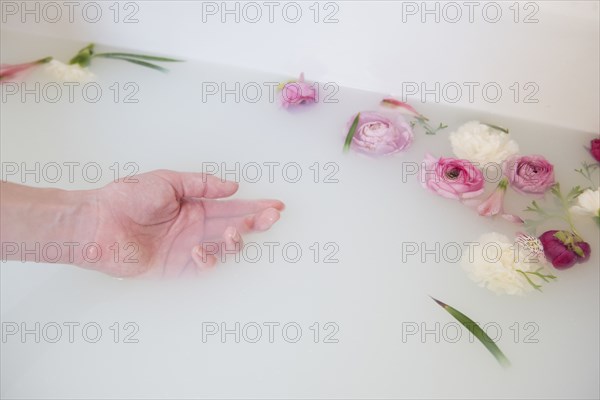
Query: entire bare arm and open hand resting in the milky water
point(165, 223)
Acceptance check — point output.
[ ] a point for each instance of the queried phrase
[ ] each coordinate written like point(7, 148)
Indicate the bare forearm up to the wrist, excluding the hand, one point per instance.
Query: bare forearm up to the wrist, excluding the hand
point(46, 225)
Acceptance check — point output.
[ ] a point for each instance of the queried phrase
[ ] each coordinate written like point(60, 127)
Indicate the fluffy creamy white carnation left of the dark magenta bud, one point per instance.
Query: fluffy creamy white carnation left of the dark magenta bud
point(496, 264)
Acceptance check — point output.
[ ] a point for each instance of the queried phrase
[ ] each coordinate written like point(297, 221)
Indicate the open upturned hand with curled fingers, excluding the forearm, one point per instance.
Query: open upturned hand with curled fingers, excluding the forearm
point(159, 223)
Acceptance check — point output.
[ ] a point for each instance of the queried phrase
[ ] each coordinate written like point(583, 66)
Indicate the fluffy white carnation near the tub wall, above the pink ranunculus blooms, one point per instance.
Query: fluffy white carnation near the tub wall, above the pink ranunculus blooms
point(482, 144)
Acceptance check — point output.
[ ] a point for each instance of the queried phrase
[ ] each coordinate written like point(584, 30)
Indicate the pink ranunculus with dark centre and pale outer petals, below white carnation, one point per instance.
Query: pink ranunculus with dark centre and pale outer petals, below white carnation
point(452, 178)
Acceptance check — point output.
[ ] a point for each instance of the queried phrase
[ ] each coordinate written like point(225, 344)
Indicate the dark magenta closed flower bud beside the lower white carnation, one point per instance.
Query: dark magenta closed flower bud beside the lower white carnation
point(564, 249)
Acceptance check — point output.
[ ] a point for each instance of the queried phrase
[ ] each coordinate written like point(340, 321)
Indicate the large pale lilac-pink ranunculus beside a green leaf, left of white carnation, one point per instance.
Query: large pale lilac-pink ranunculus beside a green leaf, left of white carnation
point(379, 134)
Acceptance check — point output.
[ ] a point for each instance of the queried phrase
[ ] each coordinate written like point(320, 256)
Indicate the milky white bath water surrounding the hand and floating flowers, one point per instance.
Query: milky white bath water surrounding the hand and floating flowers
point(360, 208)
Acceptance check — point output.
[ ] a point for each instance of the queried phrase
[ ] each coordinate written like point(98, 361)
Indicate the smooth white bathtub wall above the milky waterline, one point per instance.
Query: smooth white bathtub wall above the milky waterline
point(375, 45)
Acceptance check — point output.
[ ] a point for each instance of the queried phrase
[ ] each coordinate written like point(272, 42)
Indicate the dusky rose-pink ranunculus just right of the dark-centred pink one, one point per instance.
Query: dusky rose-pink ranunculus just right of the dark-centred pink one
point(529, 174)
